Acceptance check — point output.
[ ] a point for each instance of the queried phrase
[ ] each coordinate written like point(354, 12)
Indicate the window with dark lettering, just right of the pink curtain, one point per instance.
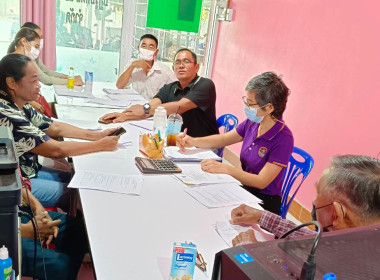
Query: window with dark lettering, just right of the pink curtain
point(88, 37)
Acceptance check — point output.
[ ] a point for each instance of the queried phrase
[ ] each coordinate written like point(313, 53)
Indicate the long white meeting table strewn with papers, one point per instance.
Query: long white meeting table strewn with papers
point(131, 237)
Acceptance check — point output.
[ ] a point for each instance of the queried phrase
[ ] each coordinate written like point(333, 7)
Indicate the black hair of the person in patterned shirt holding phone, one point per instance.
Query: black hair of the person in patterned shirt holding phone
point(12, 65)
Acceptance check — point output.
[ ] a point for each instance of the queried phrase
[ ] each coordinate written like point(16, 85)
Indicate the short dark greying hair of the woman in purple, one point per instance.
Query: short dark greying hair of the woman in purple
point(270, 88)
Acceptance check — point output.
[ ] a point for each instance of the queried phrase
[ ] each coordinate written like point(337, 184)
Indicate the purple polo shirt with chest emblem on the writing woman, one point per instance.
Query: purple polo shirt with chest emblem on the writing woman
point(275, 146)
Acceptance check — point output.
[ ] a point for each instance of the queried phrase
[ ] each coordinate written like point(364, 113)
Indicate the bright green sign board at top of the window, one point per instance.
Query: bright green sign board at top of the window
point(181, 15)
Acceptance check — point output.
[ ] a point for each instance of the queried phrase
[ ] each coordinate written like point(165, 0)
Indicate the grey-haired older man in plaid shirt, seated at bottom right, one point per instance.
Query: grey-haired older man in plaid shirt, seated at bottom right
point(348, 196)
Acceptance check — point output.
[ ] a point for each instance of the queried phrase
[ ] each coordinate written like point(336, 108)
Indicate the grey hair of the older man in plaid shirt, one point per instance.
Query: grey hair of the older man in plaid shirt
point(355, 180)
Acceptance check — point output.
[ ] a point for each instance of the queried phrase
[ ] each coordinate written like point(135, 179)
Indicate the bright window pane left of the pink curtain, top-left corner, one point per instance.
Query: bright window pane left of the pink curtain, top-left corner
point(9, 23)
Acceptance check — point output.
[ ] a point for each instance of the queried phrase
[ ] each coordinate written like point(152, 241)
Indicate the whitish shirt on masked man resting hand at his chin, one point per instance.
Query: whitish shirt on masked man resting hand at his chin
point(149, 84)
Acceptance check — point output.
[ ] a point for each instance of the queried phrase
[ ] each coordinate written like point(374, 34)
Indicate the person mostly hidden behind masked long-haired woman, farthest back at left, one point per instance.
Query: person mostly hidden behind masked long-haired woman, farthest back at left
point(47, 76)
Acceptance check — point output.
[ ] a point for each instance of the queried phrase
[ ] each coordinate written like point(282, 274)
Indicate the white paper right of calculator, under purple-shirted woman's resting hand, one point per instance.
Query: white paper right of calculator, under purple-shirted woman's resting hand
point(192, 174)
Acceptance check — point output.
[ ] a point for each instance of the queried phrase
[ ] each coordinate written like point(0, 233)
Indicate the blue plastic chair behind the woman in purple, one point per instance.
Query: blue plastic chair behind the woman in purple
point(294, 169)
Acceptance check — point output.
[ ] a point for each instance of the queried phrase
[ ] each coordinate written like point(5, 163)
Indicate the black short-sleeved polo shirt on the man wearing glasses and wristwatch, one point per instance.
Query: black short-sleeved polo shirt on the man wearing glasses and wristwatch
point(200, 121)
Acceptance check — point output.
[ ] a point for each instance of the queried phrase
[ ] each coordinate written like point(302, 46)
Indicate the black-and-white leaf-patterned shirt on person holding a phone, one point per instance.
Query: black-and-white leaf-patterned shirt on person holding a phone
point(28, 126)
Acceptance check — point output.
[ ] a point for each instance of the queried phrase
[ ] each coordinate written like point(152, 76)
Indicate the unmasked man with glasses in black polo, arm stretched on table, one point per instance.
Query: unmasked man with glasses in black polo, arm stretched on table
point(193, 95)
